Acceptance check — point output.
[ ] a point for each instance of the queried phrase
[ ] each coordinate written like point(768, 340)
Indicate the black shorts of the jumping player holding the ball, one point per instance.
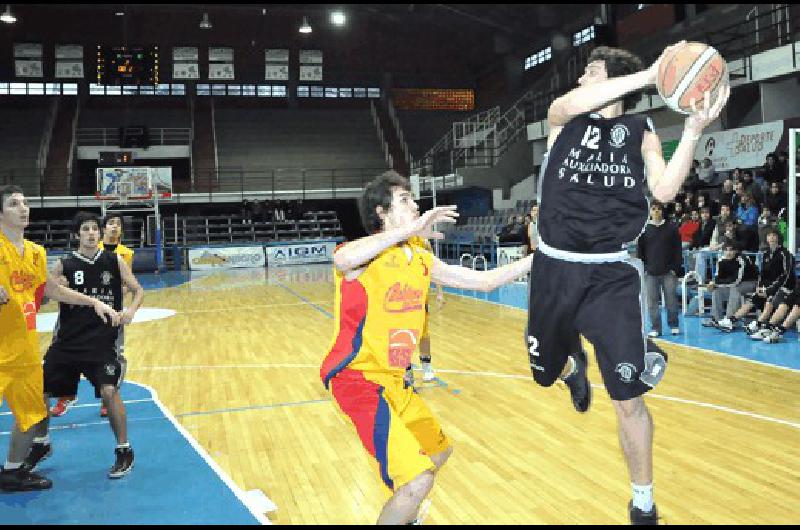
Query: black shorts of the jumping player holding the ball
point(604, 302)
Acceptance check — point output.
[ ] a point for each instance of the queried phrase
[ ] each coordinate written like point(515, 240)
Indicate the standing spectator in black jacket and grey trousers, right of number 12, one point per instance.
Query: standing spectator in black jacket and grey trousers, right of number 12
point(659, 248)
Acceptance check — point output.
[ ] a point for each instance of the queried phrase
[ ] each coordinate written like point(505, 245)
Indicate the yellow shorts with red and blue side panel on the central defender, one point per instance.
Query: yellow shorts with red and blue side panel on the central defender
point(394, 424)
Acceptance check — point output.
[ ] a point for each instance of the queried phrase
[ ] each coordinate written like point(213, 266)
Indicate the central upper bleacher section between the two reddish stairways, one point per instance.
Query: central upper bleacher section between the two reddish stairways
point(294, 140)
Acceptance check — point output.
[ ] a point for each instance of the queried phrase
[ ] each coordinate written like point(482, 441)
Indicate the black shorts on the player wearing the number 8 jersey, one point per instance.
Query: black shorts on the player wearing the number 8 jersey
point(62, 375)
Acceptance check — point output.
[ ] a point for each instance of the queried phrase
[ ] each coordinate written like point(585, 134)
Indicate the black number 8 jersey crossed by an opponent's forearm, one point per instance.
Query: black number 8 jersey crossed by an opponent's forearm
point(80, 333)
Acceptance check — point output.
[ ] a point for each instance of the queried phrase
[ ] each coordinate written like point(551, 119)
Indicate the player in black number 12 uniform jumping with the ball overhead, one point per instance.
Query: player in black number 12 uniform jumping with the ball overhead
point(601, 167)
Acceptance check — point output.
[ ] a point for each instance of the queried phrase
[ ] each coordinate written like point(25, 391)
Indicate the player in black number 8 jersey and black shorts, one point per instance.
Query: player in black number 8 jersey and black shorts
point(83, 344)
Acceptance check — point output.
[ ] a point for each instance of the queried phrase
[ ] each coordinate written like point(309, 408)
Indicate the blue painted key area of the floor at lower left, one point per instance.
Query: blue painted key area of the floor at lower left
point(172, 482)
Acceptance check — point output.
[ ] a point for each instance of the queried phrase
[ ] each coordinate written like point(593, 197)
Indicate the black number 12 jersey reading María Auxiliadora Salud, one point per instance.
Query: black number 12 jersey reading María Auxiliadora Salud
point(592, 189)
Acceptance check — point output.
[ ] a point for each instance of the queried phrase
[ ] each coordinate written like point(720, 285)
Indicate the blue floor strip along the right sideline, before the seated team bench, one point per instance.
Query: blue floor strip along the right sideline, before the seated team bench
point(785, 354)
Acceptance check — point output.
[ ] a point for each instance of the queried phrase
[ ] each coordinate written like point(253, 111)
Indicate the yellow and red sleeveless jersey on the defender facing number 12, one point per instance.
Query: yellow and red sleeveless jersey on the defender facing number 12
point(379, 316)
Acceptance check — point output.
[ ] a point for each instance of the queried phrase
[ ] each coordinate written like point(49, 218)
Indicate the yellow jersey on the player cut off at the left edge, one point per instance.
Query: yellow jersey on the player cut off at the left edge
point(24, 278)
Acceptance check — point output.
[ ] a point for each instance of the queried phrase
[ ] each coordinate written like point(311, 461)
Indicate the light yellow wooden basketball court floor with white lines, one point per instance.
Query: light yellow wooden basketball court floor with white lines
point(240, 362)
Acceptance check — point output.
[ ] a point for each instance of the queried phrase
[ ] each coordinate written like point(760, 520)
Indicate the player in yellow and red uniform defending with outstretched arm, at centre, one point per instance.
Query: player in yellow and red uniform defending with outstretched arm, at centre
point(382, 283)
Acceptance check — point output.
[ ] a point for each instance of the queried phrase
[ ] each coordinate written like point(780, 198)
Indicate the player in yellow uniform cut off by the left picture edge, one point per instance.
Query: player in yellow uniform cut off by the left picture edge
point(23, 284)
